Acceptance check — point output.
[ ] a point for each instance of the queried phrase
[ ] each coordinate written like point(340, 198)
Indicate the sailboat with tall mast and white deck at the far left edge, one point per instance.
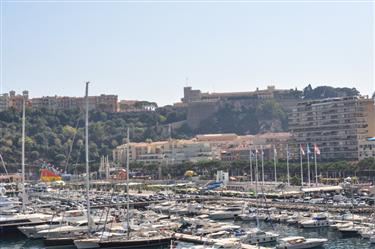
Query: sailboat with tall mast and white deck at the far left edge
point(10, 222)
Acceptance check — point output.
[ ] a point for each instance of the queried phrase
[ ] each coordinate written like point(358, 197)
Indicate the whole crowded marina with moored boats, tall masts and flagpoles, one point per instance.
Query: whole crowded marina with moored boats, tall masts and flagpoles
point(117, 212)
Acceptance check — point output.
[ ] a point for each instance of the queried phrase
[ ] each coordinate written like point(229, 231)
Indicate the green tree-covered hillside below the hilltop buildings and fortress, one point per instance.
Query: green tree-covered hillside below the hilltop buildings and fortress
point(58, 136)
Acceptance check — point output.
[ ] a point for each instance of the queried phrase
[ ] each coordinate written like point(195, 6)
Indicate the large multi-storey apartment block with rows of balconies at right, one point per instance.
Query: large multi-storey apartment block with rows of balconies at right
point(336, 125)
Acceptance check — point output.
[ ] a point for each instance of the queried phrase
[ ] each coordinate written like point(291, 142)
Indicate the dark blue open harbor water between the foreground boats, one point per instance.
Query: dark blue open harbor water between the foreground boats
point(335, 240)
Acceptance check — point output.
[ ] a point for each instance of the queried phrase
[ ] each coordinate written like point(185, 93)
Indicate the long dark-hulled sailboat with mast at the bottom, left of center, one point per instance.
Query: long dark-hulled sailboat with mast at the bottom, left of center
point(143, 238)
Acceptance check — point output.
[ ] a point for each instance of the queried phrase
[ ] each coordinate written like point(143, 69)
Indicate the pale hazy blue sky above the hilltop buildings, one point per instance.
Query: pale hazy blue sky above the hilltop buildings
point(147, 50)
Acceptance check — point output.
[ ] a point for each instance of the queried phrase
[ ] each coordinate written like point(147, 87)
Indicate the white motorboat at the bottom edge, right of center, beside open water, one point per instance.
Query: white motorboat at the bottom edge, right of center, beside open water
point(299, 242)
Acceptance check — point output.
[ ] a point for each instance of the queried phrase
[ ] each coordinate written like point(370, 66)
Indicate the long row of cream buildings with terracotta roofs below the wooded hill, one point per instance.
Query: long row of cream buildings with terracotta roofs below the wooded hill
point(227, 147)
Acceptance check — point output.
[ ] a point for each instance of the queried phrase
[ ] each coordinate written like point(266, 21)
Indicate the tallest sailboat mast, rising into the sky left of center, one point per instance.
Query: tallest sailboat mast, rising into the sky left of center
point(87, 156)
